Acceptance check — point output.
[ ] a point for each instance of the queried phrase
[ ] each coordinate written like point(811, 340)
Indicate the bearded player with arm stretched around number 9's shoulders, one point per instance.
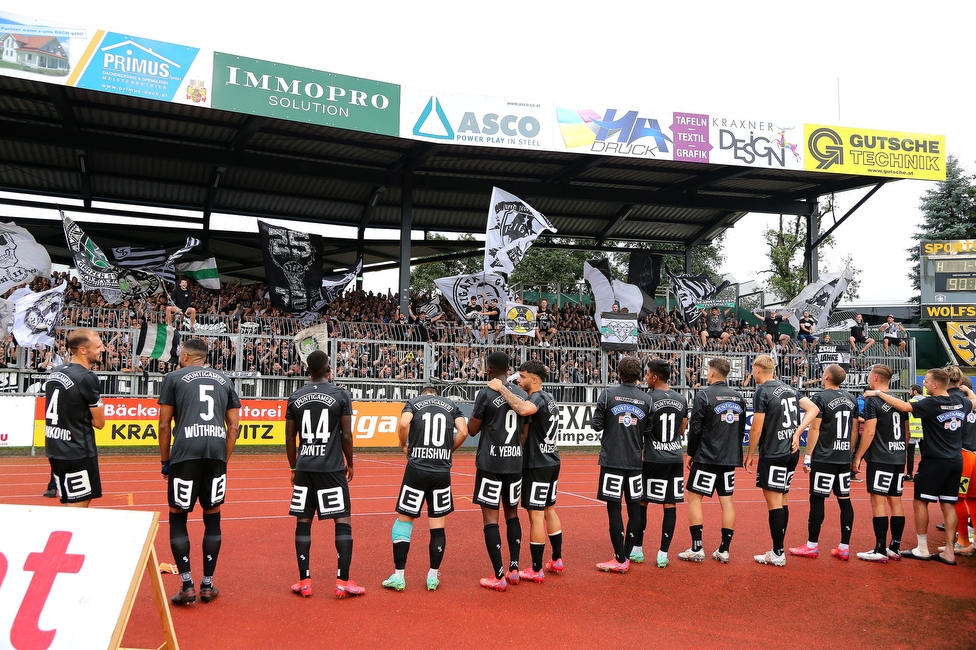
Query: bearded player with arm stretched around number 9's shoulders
point(540, 466)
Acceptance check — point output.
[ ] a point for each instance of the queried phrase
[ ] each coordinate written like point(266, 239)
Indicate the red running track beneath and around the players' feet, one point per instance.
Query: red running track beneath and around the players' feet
point(822, 603)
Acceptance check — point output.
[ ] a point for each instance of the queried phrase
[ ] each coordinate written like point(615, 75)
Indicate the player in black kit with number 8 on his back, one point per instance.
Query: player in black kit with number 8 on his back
point(883, 446)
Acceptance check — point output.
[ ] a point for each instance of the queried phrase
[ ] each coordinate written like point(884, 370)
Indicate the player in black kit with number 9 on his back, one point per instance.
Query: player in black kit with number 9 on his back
point(498, 473)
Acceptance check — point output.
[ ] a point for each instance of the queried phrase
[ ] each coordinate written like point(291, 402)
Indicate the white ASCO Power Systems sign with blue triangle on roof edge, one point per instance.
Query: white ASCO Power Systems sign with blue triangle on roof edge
point(478, 121)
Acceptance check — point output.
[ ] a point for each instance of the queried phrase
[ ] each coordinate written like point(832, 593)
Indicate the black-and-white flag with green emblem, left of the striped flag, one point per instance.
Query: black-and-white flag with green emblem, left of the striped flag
point(97, 273)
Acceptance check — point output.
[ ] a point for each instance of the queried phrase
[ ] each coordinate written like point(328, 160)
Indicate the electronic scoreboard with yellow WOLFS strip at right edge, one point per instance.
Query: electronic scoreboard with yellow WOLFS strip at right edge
point(947, 279)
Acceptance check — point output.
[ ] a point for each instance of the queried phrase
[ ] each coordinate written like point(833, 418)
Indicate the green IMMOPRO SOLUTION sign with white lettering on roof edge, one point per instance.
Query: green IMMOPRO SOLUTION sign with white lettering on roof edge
point(287, 92)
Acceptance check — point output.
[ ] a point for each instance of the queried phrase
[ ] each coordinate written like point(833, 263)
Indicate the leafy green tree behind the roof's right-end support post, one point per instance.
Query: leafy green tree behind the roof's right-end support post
point(788, 266)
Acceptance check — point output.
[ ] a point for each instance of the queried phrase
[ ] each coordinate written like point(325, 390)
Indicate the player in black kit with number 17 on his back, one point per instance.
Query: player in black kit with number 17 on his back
point(831, 416)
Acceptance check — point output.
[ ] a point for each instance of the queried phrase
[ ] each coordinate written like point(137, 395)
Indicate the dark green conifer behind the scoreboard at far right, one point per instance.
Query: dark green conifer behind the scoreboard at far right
point(948, 212)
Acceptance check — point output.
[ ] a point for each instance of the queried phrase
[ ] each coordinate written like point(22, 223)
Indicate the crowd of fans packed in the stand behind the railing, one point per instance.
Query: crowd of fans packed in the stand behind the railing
point(376, 341)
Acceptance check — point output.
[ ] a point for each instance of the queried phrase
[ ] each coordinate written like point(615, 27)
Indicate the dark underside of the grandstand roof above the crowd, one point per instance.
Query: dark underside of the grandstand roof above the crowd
point(90, 149)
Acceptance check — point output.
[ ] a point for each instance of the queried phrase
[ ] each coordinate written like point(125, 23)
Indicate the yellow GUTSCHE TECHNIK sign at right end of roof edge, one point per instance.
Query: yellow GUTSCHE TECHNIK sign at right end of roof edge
point(845, 150)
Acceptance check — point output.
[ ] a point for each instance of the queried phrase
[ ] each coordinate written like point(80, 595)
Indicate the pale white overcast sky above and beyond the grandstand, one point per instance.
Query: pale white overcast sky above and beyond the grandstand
point(898, 66)
